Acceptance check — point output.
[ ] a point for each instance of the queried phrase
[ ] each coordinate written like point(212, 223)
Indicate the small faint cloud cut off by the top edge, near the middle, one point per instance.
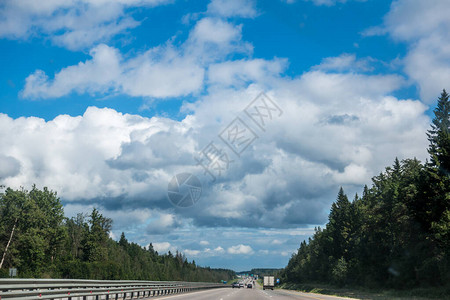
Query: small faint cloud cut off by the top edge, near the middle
point(231, 8)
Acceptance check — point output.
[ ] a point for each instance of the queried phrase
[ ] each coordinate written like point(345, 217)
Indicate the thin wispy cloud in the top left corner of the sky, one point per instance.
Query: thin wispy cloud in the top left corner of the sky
point(74, 24)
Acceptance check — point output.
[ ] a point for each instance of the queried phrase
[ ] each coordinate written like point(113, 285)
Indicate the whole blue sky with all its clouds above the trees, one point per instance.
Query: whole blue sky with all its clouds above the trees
point(271, 104)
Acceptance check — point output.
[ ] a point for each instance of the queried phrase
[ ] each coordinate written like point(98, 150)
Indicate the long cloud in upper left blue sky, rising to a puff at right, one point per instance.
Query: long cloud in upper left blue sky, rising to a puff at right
point(161, 72)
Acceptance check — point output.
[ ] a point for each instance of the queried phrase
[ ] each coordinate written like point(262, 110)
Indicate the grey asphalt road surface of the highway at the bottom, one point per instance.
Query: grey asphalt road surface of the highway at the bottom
point(249, 294)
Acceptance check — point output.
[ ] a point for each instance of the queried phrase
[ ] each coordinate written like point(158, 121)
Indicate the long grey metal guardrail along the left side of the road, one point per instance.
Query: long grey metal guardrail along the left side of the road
point(71, 289)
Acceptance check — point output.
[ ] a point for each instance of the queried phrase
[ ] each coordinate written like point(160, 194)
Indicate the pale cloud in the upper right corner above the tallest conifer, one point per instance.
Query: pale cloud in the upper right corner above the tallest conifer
point(425, 27)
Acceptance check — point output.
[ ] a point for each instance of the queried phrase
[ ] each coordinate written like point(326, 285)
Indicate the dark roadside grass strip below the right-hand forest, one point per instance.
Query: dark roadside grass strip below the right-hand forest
point(379, 294)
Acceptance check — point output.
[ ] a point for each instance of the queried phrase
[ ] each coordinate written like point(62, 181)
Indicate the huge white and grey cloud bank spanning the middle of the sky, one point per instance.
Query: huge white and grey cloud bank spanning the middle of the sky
point(336, 129)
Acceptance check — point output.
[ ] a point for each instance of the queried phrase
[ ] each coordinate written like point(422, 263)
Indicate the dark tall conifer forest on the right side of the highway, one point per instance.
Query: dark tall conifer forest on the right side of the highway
point(396, 234)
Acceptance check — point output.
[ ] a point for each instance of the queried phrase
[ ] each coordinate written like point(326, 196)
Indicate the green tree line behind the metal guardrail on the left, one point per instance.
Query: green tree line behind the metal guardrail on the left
point(38, 240)
